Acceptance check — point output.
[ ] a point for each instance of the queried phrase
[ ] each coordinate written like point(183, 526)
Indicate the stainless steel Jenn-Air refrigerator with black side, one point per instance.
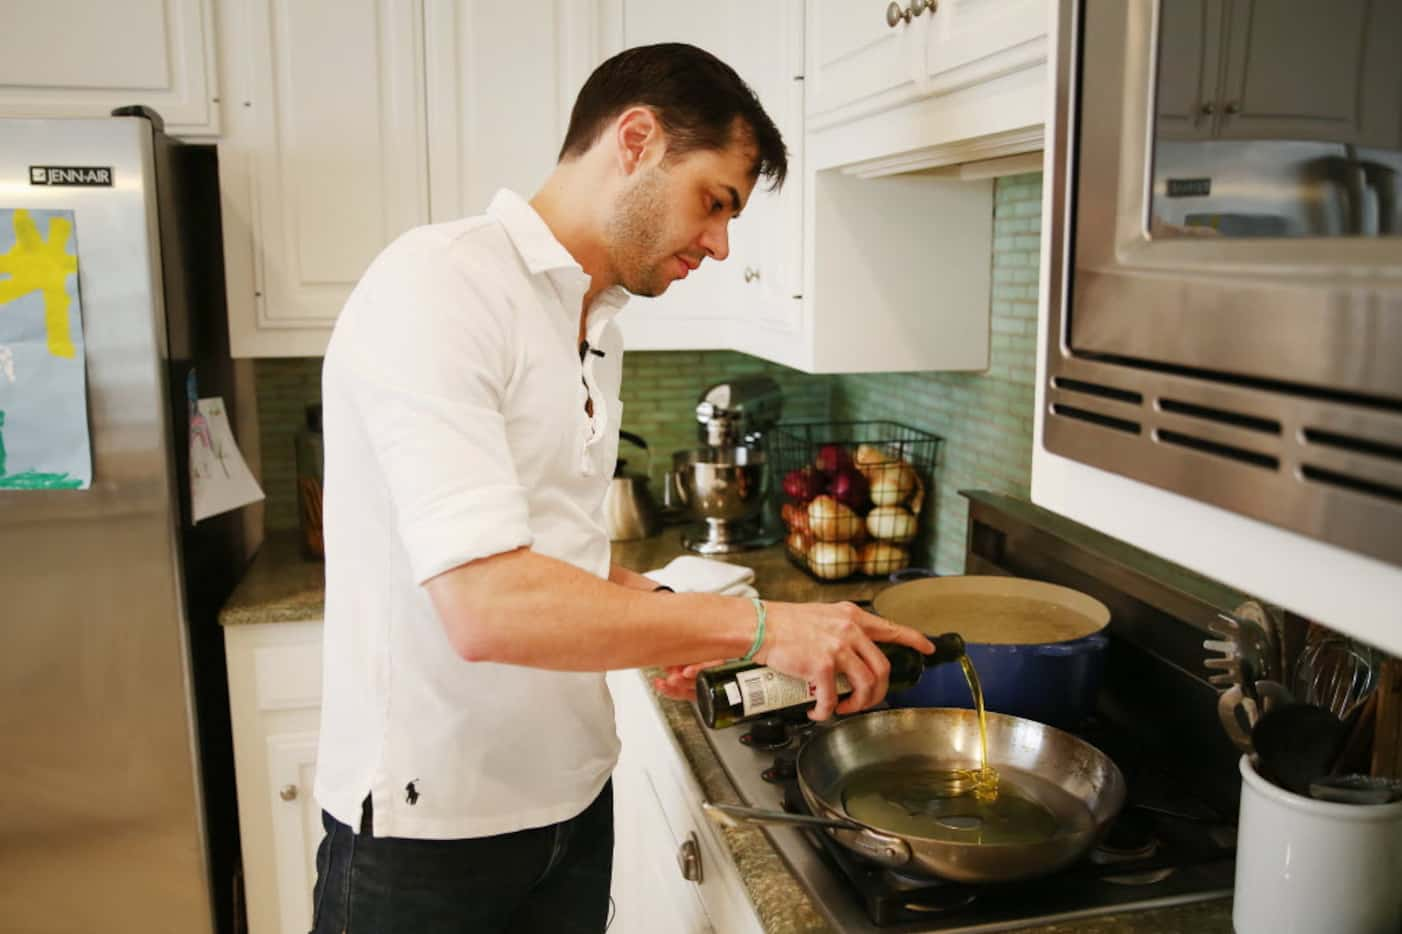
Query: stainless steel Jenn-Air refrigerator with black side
point(117, 801)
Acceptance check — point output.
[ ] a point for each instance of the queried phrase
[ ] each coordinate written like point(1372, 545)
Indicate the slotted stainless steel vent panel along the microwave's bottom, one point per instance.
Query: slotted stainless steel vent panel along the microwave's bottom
point(1324, 466)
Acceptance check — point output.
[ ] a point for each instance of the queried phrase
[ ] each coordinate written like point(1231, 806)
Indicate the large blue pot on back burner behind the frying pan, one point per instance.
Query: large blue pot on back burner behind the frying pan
point(1012, 629)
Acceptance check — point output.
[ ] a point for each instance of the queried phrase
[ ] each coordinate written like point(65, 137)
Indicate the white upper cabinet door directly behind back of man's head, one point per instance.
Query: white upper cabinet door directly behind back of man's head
point(480, 138)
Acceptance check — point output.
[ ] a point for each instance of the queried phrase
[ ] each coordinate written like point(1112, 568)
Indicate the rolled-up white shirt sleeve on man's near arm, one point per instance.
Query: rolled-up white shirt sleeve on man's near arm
point(421, 364)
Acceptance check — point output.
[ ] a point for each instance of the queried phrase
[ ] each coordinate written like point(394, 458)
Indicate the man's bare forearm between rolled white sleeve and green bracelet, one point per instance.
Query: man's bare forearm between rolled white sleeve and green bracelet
point(525, 609)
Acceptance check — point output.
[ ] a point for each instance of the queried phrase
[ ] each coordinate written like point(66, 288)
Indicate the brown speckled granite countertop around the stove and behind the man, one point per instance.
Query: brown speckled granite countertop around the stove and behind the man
point(284, 587)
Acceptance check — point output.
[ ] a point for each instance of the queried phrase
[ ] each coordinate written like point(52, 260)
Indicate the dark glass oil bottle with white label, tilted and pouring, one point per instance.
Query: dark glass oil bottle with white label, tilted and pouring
point(744, 691)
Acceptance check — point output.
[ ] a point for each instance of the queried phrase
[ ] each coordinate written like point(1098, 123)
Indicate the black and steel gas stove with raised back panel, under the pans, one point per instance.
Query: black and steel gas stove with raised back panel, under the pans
point(1173, 844)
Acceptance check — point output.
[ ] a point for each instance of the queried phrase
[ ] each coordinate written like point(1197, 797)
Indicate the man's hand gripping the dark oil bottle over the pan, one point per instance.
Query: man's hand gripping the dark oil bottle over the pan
point(817, 642)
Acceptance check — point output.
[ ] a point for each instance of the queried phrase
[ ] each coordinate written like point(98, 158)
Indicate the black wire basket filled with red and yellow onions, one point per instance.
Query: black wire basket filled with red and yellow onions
point(853, 496)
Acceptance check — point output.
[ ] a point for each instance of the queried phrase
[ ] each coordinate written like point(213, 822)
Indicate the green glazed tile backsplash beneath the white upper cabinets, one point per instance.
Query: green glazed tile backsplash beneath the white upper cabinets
point(986, 419)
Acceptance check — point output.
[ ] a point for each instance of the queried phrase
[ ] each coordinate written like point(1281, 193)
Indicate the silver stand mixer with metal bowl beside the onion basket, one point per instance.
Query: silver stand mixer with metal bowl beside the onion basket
point(726, 483)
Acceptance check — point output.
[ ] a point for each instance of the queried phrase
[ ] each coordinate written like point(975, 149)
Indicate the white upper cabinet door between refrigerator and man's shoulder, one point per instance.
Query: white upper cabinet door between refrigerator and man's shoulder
point(325, 161)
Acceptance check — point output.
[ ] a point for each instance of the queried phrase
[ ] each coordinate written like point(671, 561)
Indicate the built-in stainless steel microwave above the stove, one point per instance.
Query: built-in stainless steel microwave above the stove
point(1225, 270)
